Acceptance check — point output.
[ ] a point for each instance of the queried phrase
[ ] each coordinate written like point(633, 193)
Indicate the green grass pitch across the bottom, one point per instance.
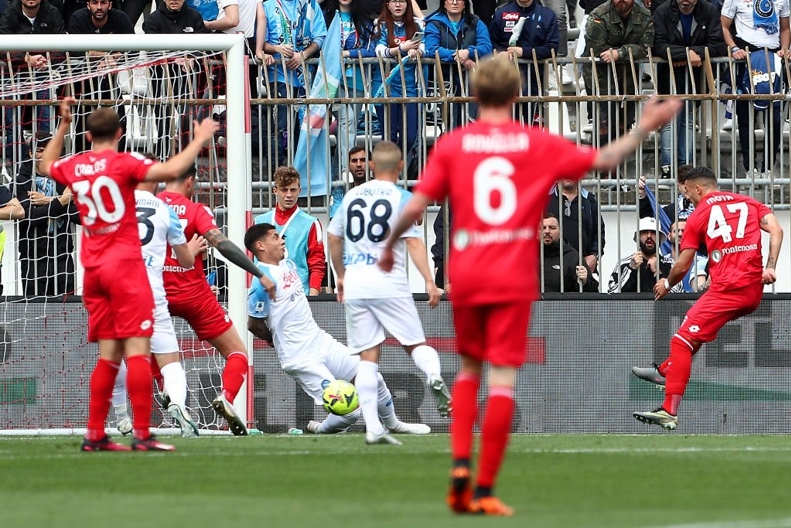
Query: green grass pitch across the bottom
point(329, 481)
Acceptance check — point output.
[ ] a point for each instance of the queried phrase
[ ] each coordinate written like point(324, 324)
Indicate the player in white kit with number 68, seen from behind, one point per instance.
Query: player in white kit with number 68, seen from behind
point(376, 300)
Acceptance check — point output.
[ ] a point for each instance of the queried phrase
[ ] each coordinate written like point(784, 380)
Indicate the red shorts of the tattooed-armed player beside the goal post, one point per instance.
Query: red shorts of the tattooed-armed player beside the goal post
point(199, 307)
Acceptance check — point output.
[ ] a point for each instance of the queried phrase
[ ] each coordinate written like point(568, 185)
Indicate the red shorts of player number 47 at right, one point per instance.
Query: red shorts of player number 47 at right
point(715, 309)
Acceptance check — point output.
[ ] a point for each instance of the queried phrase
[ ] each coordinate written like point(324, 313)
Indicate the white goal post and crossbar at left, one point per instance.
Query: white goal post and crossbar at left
point(239, 200)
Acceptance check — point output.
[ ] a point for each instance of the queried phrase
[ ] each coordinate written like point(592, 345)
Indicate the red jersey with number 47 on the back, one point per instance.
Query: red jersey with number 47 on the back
point(730, 226)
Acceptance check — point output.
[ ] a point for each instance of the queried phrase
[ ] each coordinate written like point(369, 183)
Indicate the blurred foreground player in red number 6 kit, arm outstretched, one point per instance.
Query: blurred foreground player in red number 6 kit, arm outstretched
point(497, 175)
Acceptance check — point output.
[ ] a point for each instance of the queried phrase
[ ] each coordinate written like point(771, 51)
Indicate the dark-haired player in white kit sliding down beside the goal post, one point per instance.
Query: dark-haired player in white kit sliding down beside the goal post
point(308, 354)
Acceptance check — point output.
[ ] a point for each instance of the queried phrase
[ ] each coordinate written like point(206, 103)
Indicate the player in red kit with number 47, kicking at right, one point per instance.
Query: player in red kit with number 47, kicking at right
point(730, 225)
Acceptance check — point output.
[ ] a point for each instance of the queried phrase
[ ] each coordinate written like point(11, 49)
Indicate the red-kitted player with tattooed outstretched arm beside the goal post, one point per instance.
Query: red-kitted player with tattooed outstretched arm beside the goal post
point(190, 296)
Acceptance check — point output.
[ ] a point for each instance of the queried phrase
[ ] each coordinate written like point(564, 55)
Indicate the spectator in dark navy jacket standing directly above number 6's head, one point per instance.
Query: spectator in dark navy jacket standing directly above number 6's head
point(522, 28)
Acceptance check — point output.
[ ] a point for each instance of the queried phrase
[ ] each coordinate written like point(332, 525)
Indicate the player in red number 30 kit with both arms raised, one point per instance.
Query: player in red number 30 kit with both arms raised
point(120, 305)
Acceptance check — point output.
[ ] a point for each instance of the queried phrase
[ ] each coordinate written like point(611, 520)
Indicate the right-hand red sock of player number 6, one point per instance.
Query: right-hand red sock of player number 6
point(494, 434)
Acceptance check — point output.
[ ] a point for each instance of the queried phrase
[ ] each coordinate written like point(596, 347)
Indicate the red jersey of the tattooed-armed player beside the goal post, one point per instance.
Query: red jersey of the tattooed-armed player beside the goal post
point(195, 218)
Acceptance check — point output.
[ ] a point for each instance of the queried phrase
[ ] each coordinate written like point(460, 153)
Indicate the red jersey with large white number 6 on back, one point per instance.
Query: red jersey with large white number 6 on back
point(498, 178)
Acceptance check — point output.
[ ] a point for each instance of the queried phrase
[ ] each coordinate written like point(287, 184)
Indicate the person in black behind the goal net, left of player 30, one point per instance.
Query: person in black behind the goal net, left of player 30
point(46, 233)
